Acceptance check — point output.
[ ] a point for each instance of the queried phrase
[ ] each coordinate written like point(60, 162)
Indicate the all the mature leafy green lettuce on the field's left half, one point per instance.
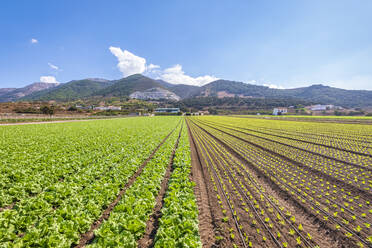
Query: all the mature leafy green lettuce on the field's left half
point(58, 179)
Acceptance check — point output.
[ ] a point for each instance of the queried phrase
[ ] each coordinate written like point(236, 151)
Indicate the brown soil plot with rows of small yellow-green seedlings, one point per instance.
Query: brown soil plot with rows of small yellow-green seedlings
point(277, 183)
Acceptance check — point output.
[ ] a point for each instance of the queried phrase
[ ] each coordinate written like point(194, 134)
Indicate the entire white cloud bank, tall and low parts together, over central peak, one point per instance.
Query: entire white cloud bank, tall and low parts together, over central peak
point(130, 64)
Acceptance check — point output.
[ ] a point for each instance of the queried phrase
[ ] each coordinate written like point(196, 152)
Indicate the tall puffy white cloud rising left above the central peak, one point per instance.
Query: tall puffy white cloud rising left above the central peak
point(129, 63)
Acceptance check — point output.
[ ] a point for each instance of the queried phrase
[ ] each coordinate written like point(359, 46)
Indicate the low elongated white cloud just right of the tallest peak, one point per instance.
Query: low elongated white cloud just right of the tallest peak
point(176, 75)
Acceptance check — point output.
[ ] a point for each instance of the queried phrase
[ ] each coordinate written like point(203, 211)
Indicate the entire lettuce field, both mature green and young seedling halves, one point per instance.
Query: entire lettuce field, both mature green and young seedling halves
point(173, 181)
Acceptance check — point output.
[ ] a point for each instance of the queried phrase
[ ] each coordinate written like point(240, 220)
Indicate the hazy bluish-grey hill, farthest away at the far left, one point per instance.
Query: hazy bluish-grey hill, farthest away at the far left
point(8, 95)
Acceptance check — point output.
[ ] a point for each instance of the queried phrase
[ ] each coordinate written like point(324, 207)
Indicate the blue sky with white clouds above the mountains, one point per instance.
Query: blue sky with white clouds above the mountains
point(280, 43)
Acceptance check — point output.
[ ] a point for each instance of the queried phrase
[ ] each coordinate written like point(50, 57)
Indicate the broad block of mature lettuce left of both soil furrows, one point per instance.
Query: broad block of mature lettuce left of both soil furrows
point(62, 176)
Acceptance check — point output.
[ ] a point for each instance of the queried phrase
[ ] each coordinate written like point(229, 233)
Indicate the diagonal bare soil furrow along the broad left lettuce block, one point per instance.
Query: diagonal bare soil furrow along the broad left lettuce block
point(89, 235)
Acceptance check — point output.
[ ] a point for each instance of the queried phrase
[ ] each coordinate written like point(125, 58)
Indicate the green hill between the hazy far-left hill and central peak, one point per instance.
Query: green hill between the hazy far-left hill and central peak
point(72, 90)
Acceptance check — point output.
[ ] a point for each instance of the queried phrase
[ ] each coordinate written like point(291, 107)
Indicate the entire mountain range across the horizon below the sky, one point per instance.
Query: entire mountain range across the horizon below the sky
point(145, 87)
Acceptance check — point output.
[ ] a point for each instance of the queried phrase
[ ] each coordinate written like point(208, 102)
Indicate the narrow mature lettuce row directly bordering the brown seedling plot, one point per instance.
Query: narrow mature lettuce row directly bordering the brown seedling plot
point(179, 221)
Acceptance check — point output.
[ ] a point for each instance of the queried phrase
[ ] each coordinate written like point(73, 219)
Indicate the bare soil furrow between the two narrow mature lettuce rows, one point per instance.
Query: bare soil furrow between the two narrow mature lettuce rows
point(152, 224)
